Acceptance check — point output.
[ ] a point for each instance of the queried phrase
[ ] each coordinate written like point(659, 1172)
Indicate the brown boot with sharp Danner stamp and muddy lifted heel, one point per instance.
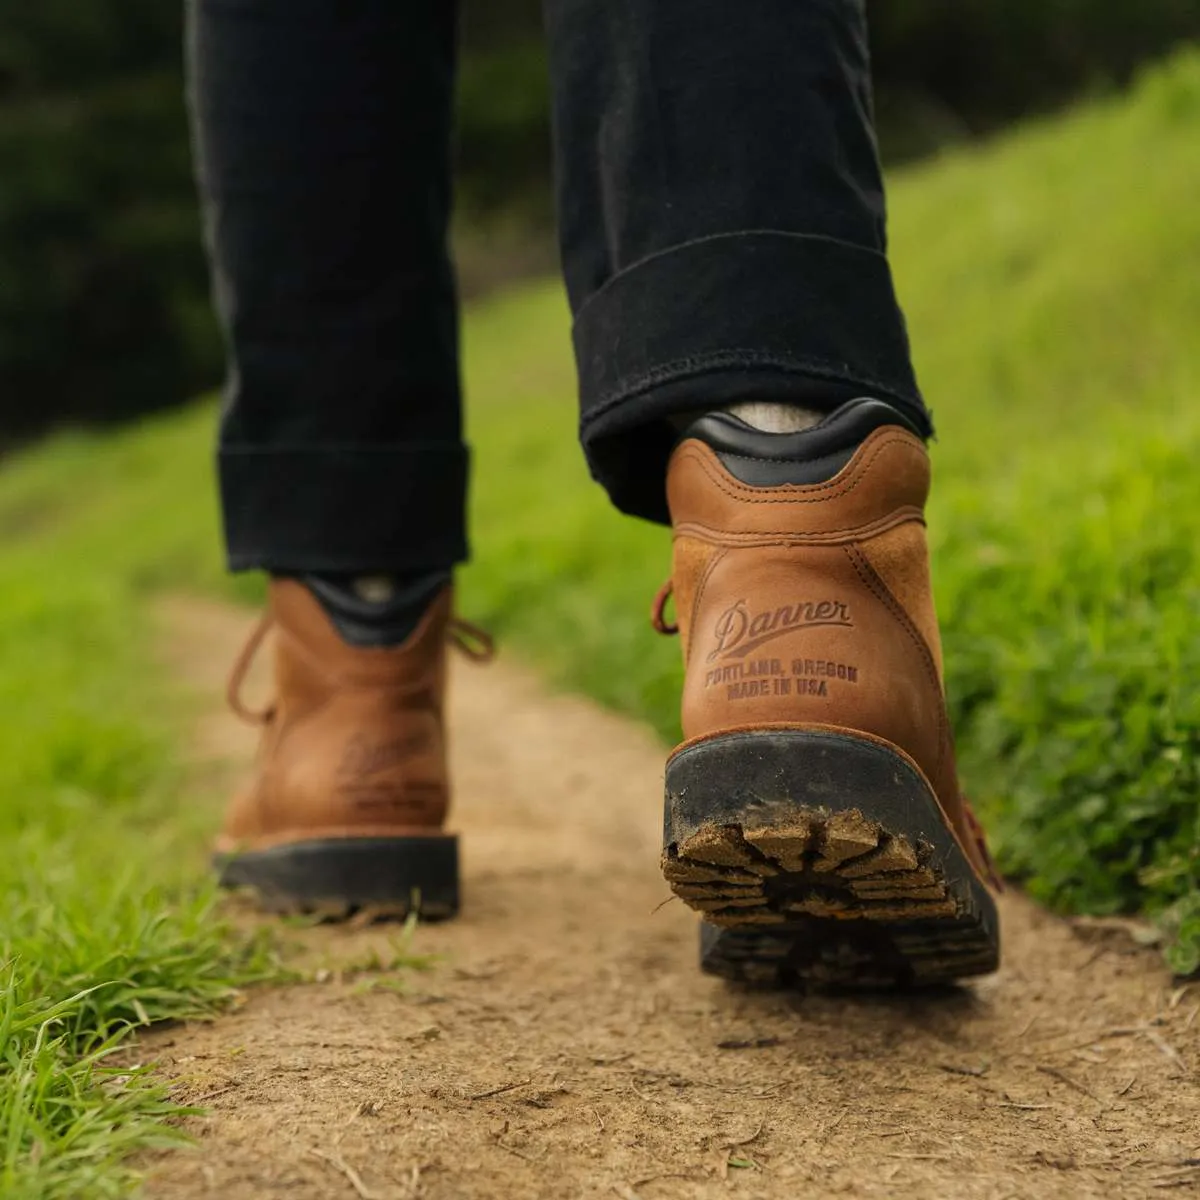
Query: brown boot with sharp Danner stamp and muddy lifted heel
point(813, 814)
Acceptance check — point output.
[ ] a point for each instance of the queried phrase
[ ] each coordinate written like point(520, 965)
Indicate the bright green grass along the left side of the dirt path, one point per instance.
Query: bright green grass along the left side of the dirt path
point(106, 925)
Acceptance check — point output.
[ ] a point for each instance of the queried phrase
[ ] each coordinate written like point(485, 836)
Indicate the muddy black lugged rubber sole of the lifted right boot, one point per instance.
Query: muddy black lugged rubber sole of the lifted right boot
point(821, 859)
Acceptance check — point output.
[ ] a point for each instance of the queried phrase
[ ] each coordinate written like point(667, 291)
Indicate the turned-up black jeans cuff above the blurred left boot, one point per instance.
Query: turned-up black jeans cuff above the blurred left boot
point(345, 508)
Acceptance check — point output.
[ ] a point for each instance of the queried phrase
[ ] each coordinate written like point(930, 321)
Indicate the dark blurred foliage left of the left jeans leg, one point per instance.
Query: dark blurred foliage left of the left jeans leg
point(104, 292)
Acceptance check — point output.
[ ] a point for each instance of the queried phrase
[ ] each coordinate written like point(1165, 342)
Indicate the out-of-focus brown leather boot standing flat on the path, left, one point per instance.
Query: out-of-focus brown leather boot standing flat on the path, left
point(347, 806)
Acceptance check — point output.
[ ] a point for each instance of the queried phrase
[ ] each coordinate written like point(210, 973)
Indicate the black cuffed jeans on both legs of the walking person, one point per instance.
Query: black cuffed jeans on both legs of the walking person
point(723, 237)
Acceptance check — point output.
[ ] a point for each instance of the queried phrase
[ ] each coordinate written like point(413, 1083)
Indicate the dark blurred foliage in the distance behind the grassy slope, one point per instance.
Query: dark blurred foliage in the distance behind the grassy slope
point(104, 299)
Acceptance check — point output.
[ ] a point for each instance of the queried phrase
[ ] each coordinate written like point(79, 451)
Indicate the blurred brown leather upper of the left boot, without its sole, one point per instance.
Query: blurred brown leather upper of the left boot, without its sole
point(353, 745)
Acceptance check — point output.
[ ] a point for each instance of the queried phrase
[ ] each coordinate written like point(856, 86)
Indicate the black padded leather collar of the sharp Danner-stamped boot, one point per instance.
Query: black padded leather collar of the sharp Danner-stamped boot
point(812, 457)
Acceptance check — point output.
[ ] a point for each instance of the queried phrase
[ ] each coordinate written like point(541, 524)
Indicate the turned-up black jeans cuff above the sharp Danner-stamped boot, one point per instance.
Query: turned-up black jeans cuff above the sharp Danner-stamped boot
point(783, 310)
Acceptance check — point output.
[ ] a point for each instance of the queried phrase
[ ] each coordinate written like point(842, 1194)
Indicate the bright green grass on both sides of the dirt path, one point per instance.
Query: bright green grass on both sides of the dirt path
point(1054, 302)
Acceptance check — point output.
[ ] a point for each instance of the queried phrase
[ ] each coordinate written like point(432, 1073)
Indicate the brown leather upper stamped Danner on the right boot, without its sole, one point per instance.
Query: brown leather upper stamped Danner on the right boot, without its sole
point(812, 605)
